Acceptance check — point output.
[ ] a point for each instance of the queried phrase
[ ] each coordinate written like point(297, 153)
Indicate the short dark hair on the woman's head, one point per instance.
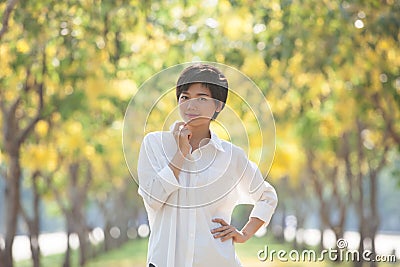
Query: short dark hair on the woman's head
point(209, 76)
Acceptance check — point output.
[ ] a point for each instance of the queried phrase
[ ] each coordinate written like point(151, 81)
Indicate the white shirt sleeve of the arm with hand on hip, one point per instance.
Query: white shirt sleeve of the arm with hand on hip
point(253, 189)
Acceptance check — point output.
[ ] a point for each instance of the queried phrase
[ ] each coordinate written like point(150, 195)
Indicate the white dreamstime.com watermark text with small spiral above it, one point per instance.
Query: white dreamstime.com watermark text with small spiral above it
point(341, 253)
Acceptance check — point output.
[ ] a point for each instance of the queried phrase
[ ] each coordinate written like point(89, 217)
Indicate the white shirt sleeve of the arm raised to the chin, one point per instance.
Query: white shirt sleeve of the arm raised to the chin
point(156, 179)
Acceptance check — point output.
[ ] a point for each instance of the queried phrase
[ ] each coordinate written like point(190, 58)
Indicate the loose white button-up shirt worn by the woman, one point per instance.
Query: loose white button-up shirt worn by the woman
point(216, 177)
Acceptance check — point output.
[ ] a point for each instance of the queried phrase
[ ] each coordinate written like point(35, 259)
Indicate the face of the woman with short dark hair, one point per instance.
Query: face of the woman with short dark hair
point(197, 106)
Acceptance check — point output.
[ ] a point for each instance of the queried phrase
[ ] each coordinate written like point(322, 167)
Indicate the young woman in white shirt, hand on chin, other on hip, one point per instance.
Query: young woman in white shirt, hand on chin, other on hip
point(191, 180)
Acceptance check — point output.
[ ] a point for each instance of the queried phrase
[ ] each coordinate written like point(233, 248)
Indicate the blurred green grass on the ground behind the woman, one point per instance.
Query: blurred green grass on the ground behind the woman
point(133, 254)
